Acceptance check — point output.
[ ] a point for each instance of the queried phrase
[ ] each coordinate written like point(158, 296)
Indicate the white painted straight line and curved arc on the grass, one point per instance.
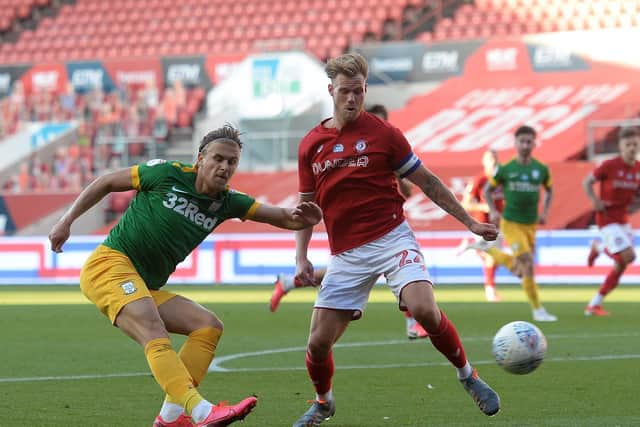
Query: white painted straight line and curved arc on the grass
point(215, 366)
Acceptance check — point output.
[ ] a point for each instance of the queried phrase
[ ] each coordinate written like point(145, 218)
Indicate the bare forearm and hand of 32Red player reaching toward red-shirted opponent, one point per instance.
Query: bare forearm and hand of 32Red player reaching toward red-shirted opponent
point(306, 214)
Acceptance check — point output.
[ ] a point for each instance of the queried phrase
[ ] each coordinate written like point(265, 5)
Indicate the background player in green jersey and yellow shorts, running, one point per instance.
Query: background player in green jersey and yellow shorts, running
point(521, 179)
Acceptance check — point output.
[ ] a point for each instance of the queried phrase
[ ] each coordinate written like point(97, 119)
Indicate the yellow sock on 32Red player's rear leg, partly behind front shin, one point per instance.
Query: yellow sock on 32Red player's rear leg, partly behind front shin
point(197, 353)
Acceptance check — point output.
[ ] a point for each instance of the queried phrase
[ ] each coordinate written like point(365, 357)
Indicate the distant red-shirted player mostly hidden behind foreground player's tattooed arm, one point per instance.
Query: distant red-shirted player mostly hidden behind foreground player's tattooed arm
point(473, 201)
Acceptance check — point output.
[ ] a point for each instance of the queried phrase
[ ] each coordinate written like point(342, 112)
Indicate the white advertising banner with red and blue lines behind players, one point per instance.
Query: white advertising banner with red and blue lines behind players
point(258, 258)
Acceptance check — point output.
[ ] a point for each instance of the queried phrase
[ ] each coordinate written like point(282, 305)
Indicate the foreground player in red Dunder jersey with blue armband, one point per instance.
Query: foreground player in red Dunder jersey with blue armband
point(349, 164)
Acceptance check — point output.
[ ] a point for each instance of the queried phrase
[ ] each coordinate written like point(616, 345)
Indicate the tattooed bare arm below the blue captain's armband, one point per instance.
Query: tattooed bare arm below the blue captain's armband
point(443, 197)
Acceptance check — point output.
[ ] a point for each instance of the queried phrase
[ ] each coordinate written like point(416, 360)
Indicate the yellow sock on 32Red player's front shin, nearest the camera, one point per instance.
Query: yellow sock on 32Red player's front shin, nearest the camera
point(171, 374)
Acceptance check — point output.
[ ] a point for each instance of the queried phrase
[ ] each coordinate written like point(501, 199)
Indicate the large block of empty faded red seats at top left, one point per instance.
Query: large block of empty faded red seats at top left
point(91, 29)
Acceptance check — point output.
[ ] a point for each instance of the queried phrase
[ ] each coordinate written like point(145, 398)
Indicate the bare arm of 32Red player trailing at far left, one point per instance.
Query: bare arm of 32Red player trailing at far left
point(119, 180)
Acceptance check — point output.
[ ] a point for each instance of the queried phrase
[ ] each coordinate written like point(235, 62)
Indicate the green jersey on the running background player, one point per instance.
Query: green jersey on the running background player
point(521, 186)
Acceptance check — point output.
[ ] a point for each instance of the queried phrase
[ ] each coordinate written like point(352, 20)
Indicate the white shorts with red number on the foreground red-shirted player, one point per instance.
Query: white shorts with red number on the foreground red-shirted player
point(351, 274)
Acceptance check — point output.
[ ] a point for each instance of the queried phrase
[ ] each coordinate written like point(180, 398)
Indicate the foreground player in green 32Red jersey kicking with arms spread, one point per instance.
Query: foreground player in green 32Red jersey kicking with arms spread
point(176, 207)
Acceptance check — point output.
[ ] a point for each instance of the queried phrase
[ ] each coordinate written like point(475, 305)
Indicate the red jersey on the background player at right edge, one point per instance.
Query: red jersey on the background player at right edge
point(619, 183)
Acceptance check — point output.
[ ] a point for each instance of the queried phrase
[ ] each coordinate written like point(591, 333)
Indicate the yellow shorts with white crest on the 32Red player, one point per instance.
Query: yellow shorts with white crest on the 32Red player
point(110, 281)
